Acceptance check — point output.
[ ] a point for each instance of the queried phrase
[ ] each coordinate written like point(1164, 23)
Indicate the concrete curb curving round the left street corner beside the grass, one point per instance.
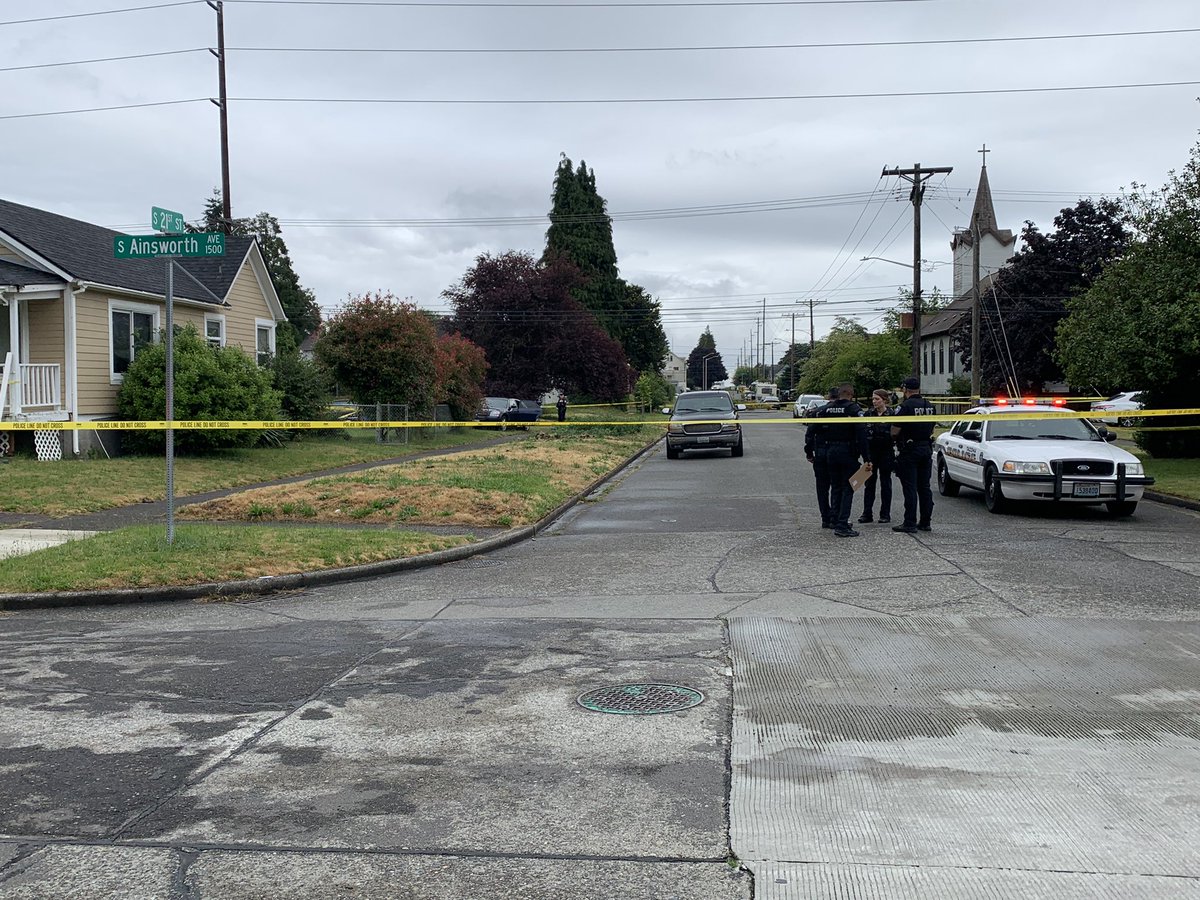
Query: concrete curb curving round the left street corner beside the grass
point(272, 584)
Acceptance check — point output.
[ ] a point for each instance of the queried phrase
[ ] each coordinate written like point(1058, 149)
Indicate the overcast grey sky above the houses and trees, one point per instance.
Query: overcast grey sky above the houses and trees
point(374, 196)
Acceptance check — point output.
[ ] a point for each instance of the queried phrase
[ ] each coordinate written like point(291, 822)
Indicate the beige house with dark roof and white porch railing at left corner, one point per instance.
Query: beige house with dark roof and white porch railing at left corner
point(73, 317)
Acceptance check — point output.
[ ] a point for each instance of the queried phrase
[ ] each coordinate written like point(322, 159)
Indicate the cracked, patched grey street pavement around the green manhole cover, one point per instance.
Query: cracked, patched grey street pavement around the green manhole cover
point(1009, 706)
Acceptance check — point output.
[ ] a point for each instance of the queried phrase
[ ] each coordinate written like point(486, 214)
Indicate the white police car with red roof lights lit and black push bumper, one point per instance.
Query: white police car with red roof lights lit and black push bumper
point(1055, 460)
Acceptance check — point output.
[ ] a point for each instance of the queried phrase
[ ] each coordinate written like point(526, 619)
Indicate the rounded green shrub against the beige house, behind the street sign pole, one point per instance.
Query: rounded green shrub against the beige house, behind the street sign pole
point(211, 385)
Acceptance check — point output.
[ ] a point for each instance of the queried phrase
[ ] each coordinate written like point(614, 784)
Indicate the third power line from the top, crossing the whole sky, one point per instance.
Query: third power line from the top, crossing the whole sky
point(598, 101)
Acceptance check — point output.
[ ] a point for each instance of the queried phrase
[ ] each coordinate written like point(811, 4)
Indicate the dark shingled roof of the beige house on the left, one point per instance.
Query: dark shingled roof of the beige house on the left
point(85, 251)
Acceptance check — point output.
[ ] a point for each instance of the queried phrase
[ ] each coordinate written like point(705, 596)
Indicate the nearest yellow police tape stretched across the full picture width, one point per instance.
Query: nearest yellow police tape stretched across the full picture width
point(286, 425)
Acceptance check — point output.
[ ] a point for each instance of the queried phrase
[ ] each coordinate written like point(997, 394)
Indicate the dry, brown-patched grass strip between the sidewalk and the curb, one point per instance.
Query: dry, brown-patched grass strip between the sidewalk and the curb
point(505, 487)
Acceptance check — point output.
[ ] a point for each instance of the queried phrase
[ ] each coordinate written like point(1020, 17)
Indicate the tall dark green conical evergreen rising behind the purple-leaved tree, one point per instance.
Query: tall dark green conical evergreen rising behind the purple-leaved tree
point(581, 232)
